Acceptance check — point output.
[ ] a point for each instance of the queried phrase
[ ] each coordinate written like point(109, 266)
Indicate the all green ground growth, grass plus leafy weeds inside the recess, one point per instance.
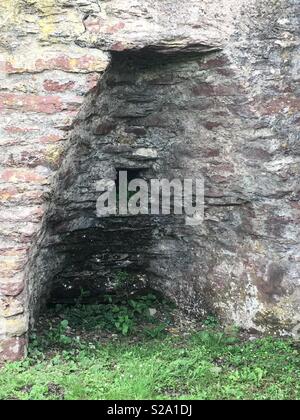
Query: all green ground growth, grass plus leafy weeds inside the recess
point(148, 360)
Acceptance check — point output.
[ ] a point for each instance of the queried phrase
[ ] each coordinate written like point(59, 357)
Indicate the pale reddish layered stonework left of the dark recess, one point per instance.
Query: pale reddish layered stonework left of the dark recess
point(44, 77)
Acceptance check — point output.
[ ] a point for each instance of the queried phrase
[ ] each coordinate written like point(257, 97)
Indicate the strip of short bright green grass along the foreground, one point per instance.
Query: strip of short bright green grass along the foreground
point(206, 365)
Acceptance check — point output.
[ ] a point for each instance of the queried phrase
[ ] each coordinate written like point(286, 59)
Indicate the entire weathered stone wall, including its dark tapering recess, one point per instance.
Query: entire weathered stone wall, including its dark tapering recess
point(192, 88)
